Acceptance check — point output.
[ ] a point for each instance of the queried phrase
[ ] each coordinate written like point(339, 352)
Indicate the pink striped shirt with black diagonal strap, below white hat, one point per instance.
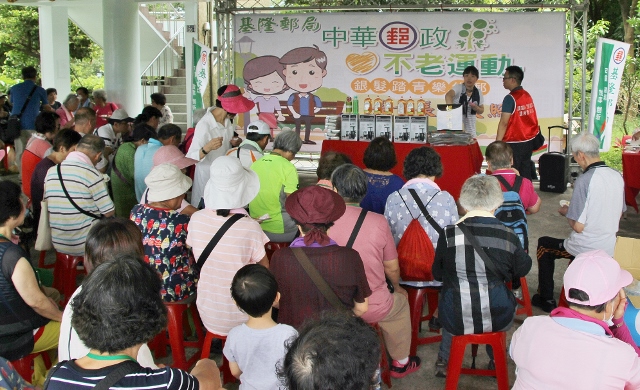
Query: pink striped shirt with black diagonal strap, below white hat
point(242, 244)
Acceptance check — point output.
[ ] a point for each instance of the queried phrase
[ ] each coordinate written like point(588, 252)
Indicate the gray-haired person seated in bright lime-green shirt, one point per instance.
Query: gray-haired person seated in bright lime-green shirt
point(278, 179)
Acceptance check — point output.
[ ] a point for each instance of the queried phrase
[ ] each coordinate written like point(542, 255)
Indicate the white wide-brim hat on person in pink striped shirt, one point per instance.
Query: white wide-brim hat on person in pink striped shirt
point(230, 185)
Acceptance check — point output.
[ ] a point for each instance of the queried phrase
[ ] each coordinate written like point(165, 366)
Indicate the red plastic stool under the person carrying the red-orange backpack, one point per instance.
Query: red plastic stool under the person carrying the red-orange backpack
point(417, 297)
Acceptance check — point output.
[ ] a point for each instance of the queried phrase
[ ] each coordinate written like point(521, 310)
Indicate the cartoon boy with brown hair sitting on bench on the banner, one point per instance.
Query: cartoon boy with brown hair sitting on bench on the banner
point(305, 67)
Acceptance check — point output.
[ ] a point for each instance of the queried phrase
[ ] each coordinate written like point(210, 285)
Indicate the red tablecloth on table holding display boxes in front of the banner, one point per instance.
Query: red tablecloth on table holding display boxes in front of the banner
point(459, 162)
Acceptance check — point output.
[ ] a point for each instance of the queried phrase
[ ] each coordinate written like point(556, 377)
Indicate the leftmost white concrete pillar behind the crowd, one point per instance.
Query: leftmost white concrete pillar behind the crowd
point(54, 49)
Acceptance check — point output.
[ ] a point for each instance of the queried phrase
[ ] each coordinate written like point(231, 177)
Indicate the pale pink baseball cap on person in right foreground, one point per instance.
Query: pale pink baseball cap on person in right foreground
point(597, 274)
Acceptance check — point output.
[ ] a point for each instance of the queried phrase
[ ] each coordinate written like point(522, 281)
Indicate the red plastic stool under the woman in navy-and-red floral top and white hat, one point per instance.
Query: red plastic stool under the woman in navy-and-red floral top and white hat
point(177, 322)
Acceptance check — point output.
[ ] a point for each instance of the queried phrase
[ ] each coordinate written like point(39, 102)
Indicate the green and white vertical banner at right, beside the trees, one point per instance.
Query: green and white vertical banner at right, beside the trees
point(607, 74)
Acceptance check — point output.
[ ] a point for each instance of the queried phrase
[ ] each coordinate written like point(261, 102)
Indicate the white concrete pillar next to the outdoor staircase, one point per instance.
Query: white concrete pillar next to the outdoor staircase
point(122, 54)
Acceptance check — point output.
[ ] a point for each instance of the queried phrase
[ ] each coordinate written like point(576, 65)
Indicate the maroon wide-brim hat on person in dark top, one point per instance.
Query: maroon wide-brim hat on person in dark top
point(315, 204)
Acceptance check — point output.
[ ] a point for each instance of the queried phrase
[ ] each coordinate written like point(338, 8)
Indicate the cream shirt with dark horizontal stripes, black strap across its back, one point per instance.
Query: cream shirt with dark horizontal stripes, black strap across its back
point(86, 186)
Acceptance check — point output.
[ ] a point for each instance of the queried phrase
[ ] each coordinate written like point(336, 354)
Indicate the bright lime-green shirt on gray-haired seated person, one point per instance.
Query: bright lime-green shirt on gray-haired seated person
point(278, 177)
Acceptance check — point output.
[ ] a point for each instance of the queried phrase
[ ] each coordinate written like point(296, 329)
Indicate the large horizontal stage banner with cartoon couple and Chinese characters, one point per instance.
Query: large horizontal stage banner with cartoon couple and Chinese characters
point(359, 61)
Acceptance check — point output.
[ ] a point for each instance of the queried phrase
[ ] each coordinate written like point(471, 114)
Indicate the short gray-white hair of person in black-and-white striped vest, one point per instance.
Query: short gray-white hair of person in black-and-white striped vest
point(481, 192)
